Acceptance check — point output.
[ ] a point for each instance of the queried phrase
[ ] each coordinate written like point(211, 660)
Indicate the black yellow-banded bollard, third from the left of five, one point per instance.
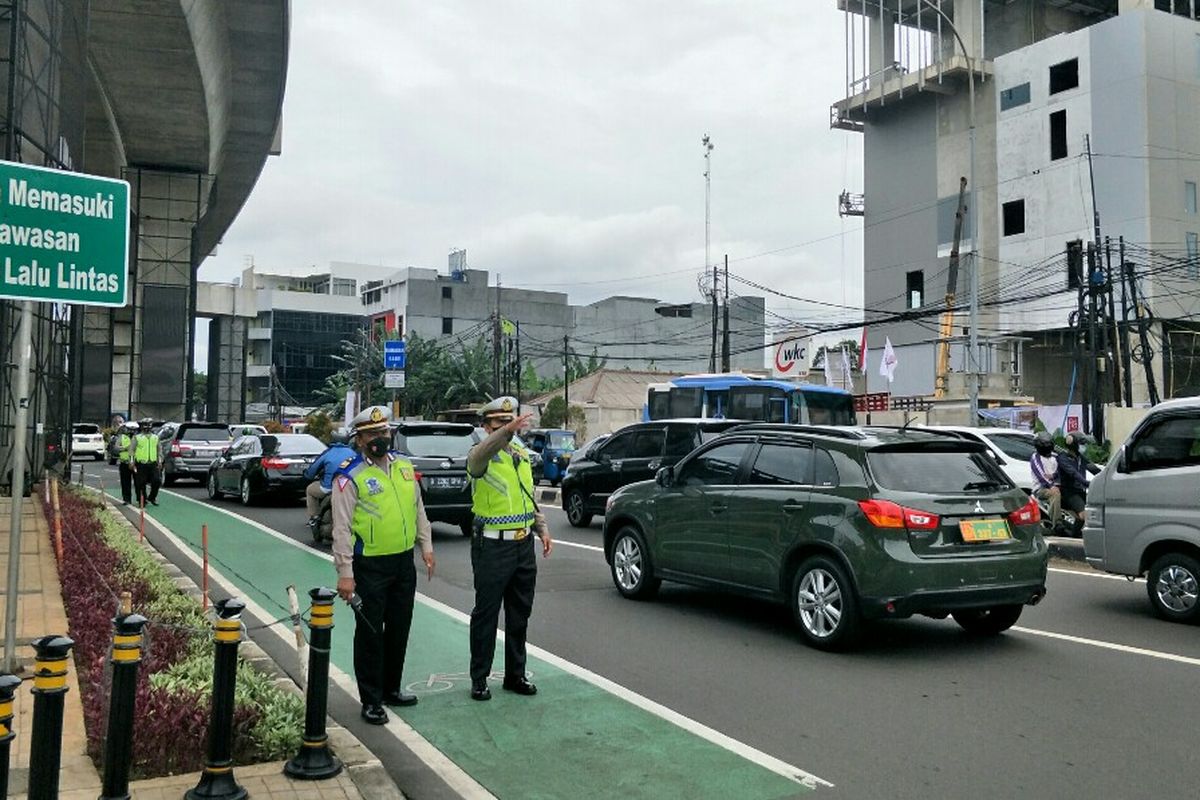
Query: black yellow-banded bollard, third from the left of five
point(119, 742)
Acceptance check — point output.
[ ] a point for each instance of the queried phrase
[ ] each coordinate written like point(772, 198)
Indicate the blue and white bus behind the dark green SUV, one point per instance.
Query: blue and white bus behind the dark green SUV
point(737, 396)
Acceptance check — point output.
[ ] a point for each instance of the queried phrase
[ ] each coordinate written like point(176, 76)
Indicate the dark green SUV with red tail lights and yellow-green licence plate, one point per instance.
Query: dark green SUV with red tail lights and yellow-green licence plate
point(845, 525)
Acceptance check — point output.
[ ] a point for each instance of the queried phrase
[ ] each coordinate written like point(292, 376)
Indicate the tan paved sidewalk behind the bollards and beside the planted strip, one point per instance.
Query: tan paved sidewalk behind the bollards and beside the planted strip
point(41, 612)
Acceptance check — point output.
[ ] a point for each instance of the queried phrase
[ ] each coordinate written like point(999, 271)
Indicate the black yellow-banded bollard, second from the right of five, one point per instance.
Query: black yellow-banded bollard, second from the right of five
point(218, 779)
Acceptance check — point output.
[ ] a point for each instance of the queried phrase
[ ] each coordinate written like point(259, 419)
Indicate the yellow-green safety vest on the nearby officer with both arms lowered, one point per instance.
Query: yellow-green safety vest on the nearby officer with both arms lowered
point(385, 520)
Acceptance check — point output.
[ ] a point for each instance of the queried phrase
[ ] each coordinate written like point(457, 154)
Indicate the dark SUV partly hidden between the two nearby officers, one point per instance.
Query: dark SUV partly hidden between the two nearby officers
point(439, 452)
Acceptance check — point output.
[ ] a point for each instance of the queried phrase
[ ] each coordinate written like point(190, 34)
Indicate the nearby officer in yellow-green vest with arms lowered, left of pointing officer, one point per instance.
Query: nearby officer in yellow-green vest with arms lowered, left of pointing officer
point(379, 518)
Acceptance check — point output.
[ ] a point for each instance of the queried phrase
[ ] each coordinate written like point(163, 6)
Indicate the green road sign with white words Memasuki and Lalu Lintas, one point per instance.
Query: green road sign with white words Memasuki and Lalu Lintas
point(64, 237)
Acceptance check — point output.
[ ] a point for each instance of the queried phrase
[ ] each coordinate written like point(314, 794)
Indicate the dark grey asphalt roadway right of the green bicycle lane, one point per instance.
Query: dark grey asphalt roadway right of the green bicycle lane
point(1087, 697)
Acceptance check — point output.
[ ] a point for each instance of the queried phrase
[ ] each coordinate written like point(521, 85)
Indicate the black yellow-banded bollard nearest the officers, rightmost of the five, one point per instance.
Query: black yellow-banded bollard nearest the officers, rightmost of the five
point(315, 760)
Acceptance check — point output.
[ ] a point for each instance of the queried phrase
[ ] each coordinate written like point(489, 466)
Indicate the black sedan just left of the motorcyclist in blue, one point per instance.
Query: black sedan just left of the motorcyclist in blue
point(263, 465)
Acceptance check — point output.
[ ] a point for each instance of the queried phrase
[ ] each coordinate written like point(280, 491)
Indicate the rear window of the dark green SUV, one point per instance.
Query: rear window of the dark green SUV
point(937, 471)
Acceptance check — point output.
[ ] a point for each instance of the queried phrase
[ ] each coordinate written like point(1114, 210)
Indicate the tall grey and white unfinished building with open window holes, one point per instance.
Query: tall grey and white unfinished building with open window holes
point(1087, 159)
